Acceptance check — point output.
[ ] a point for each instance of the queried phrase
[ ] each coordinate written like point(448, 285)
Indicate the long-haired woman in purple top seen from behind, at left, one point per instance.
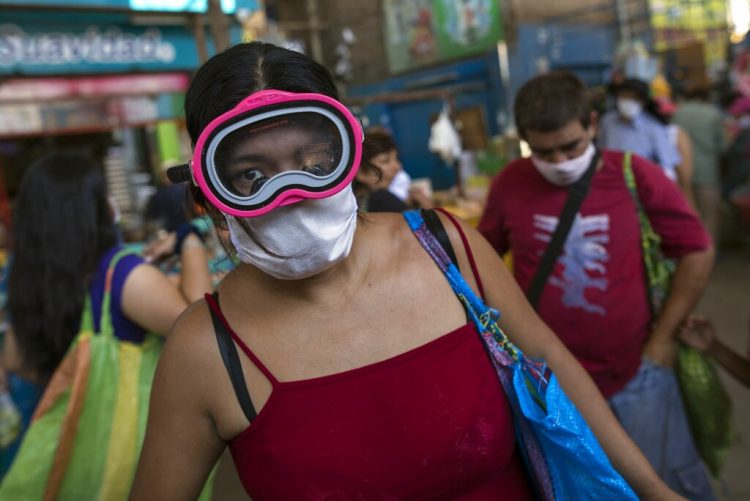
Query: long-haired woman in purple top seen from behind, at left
point(64, 240)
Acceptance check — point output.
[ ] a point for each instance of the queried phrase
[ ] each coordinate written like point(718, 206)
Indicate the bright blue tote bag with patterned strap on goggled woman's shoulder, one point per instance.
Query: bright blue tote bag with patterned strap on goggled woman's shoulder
point(562, 455)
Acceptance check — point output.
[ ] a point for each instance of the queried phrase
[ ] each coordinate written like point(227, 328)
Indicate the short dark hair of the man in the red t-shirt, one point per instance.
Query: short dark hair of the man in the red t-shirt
point(549, 102)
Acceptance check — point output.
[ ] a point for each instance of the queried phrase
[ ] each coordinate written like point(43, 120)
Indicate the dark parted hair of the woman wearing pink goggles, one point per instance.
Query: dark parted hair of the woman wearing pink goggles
point(231, 76)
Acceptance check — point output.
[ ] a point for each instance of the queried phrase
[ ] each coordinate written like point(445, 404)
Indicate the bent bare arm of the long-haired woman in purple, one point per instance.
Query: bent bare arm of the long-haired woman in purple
point(153, 301)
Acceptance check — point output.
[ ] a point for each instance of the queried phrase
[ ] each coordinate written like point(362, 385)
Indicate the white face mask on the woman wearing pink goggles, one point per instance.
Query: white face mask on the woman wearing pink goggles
point(309, 237)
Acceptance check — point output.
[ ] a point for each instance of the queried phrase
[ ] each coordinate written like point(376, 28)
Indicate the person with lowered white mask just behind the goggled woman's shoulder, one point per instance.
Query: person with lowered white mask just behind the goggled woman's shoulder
point(375, 188)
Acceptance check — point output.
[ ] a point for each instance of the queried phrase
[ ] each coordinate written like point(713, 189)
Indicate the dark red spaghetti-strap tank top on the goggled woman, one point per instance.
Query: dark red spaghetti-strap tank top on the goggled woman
point(430, 423)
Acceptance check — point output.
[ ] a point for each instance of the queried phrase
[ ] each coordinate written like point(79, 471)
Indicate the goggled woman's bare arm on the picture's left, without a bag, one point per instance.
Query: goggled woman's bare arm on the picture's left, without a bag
point(182, 444)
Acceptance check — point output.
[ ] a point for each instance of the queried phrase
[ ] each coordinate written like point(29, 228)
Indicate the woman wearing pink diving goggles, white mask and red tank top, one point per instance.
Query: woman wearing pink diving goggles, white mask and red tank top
point(358, 374)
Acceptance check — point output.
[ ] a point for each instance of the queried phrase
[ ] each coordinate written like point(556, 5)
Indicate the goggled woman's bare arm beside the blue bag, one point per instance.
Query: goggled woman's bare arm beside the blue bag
point(534, 338)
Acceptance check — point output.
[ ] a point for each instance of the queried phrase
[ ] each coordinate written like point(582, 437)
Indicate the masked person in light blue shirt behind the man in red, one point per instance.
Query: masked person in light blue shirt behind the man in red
point(636, 125)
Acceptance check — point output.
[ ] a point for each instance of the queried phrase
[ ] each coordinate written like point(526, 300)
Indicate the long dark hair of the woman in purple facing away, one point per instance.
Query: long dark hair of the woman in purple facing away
point(62, 226)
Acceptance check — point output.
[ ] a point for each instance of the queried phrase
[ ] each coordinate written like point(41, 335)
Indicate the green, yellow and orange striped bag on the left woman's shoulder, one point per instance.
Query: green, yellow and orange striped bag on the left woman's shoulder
point(86, 434)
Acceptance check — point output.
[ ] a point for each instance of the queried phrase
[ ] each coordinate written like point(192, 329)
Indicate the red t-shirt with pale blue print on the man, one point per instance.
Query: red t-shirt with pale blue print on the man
point(595, 299)
